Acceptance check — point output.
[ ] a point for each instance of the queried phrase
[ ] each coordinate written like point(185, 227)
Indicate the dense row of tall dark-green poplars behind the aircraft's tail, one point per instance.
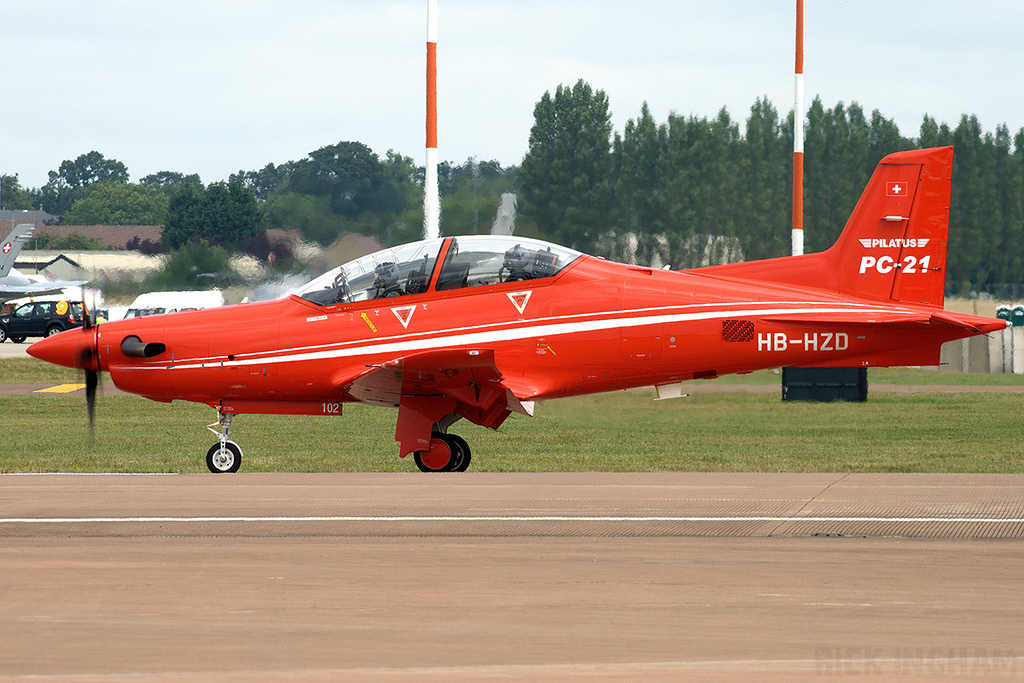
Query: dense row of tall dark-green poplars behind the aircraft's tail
point(696, 191)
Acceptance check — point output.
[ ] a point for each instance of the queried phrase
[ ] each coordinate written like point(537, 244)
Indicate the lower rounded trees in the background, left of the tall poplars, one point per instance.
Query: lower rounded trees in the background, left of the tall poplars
point(336, 190)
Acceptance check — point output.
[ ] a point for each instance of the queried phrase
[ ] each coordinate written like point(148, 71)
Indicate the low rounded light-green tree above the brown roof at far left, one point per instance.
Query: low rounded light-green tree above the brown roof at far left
point(119, 204)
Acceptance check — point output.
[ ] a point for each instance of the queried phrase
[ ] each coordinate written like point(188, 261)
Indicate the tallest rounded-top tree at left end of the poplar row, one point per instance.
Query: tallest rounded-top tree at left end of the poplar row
point(567, 175)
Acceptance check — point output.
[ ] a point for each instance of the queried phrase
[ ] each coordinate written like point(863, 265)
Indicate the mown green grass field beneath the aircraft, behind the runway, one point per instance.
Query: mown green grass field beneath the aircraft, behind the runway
point(621, 432)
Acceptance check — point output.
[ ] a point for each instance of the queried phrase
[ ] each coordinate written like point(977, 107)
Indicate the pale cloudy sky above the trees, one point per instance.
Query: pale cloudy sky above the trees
point(218, 87)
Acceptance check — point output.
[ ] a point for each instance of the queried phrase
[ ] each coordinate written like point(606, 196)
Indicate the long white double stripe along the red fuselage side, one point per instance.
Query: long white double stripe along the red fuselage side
point(519, 330)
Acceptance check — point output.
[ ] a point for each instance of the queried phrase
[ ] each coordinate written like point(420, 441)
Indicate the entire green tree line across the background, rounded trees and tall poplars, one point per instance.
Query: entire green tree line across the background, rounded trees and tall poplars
point(684, 193)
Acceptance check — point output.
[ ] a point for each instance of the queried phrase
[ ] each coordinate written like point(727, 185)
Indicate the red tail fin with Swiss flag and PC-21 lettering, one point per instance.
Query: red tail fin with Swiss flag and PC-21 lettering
point(894, 245)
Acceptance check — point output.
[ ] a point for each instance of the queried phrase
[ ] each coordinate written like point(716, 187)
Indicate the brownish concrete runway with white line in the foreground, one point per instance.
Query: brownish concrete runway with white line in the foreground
point(483, 577)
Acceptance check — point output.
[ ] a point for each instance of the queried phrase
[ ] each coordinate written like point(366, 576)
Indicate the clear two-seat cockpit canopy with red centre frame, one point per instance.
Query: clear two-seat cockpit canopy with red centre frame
point(468, 262)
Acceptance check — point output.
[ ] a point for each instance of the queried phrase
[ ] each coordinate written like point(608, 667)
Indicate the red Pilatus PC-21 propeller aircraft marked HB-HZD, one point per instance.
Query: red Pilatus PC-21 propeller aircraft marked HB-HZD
point(482, 327)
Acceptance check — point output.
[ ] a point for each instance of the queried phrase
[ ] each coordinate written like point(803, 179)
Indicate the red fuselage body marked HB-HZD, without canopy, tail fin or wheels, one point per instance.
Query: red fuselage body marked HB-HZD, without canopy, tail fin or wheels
point(596, 327)
